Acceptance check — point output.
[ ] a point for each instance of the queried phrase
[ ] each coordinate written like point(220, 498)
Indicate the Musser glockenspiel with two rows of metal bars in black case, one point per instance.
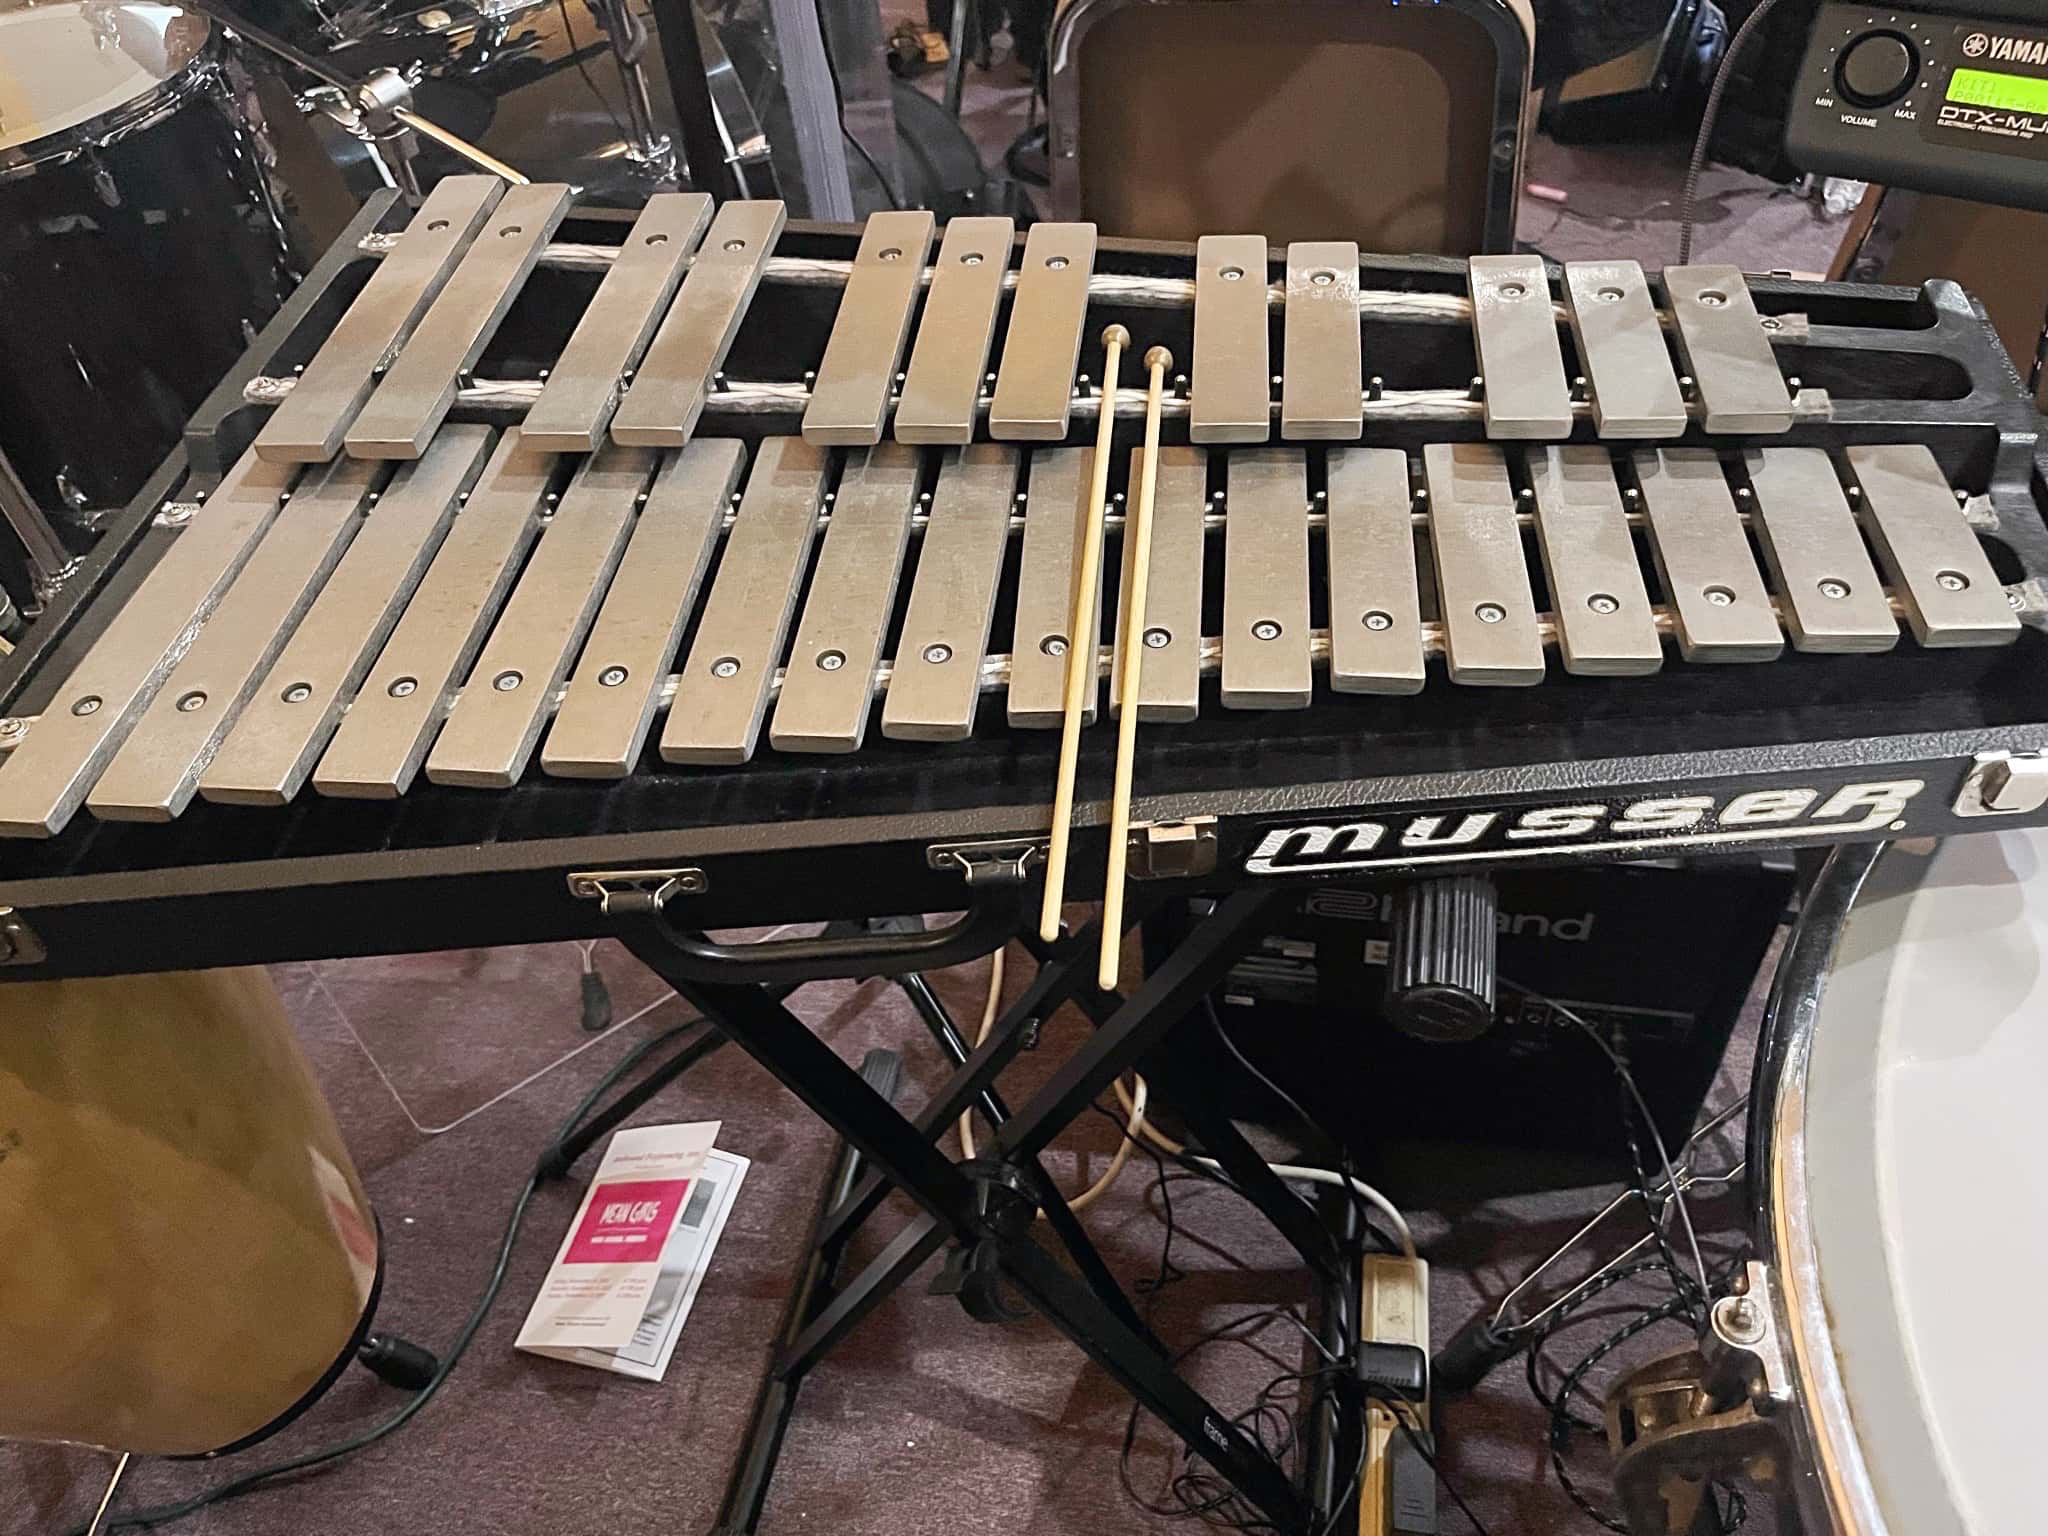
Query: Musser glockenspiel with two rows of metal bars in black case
point(540, 554)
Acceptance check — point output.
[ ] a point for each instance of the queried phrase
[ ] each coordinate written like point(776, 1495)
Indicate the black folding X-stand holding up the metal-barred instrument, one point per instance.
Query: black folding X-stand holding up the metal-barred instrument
point(986, 1207)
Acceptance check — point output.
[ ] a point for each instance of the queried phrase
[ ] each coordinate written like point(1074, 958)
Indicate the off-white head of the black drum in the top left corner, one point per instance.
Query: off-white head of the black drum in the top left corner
point(67, 65)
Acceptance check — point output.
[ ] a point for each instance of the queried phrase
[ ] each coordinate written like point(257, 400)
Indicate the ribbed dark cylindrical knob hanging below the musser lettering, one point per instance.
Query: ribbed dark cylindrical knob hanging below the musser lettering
point(1441, 964)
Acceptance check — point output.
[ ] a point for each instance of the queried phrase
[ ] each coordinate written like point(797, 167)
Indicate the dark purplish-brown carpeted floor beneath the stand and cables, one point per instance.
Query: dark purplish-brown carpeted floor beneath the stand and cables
point(923, 1424)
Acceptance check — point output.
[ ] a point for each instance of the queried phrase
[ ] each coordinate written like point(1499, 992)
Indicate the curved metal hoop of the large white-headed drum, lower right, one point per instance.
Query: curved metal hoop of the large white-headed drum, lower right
point(1838, 1494)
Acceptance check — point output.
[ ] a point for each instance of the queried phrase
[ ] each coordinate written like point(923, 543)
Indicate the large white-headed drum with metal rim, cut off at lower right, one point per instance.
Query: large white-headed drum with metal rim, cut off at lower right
point(1906, 1209)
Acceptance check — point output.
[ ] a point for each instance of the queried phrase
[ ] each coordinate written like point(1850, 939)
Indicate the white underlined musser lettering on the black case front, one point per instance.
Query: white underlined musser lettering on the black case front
point(1639, 826)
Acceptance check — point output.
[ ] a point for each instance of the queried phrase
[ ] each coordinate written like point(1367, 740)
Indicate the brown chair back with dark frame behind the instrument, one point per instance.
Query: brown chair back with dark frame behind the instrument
point(1297, 120)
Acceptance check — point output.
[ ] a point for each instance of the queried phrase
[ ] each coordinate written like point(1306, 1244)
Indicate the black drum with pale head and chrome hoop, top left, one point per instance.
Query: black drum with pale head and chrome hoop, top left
point(140, 243)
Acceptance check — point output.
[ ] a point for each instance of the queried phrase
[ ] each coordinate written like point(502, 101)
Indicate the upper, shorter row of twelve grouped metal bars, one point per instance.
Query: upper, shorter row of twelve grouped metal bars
point(910, 347)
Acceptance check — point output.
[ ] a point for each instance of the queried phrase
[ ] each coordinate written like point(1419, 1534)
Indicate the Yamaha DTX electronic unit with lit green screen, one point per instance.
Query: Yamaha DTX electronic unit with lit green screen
point(1936, 99)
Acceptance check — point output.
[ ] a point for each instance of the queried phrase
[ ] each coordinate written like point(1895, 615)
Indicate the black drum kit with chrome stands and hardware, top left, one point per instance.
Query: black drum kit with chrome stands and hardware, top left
point(138, 159)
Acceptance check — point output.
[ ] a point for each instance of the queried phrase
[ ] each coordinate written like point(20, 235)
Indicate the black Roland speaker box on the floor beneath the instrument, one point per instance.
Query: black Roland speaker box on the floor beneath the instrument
point(1662, 953)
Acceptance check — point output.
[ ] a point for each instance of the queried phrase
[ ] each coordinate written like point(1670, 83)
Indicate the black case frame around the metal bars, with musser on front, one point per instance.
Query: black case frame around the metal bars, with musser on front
point(814, 839)
